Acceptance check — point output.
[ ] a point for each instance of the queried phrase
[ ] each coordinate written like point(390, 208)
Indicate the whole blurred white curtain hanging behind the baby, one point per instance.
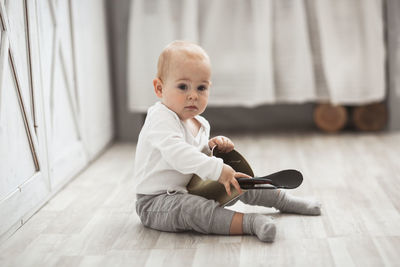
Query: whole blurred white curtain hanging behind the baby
point(265, 51)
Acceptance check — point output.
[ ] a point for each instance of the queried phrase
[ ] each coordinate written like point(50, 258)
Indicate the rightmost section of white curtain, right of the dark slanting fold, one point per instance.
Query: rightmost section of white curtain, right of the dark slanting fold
point(352, 48)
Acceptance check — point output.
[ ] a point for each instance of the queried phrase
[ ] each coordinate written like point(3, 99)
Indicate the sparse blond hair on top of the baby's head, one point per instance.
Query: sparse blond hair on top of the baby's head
point(188, 49)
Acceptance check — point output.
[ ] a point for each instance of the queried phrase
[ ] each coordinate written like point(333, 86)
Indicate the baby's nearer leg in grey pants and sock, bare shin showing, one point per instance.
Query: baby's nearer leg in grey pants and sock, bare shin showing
point(182, 212)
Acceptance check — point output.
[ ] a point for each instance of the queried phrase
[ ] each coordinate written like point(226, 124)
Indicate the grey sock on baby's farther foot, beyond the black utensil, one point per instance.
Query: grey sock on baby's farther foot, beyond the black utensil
point(292, 204)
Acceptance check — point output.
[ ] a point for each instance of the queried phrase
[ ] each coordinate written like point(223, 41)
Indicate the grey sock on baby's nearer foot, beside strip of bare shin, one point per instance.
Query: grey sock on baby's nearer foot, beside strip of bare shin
point(261, 226)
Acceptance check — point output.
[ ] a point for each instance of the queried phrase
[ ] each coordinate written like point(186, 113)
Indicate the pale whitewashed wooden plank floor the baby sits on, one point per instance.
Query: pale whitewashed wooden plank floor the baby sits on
point(92, 221)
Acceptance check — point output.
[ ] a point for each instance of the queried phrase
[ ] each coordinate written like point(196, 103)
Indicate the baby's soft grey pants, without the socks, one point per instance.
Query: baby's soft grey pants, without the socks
point(185, 212)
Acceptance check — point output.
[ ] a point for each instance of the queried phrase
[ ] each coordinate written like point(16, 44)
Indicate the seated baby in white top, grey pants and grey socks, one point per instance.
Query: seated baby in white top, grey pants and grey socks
point(173, 145)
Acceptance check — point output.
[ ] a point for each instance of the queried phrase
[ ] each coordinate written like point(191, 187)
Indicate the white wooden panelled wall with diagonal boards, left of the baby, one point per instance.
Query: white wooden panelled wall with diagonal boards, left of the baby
point(55, 101)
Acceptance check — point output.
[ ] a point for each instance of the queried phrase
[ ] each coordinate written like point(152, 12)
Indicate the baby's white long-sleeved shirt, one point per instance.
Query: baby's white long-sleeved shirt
point(167, 154)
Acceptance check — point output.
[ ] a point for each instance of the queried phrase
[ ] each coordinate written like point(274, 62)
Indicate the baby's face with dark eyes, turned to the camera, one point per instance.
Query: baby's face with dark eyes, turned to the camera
point(186, 87)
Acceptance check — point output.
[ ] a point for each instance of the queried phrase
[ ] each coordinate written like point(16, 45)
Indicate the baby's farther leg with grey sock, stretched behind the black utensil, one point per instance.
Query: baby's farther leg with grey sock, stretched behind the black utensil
point(282, 201)
